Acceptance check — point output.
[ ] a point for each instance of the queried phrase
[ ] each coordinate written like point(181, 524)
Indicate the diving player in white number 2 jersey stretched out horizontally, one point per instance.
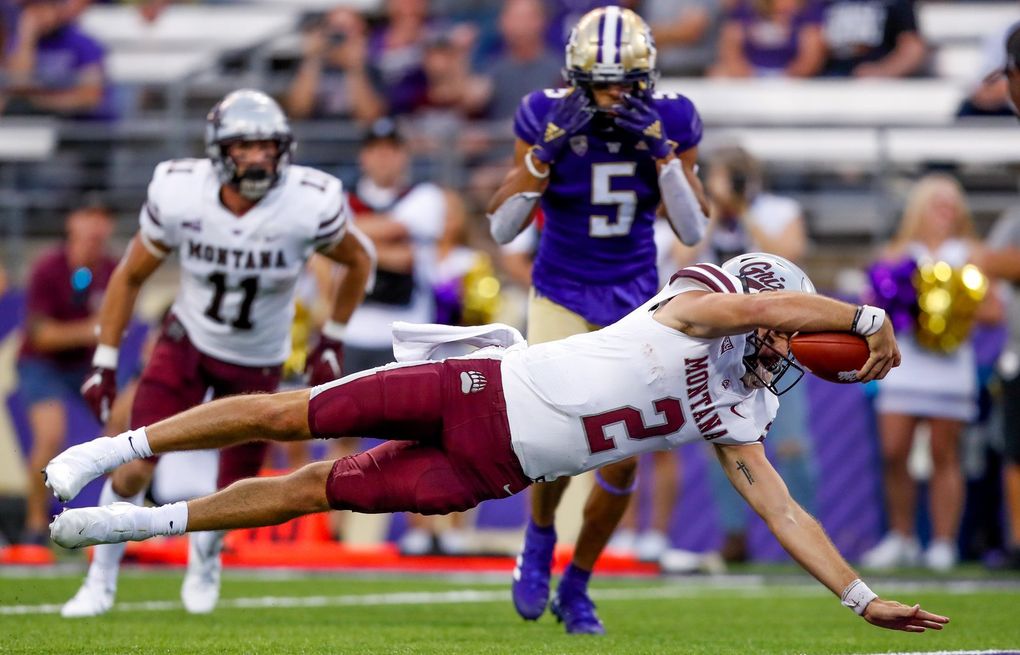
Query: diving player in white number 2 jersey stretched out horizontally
point(704, 360)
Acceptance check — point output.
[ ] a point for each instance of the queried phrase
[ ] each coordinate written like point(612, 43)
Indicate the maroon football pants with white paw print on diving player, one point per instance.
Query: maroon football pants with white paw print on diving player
point(451, 441)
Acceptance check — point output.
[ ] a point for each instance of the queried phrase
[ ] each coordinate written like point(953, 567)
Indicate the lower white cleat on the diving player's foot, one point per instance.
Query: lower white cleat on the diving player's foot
point(91, 526)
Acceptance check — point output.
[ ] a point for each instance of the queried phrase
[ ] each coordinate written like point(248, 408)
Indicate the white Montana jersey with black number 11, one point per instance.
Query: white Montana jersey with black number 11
point(238, 274)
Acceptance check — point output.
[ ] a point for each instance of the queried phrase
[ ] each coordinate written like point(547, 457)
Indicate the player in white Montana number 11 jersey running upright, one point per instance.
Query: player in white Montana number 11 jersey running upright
point(243, 222)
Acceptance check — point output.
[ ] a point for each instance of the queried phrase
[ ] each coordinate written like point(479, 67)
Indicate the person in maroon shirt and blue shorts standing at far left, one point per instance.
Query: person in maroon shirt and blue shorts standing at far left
point(66, 287)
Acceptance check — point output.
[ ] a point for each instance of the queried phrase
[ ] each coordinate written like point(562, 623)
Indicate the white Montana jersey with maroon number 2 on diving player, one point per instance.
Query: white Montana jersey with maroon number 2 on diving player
point(637, 386)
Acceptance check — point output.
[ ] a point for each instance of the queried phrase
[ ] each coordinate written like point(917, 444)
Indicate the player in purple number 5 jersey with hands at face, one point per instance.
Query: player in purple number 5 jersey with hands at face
point(603, 158)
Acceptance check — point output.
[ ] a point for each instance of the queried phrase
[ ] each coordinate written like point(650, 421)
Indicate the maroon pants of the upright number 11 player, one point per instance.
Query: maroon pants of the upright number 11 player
point(177, 378)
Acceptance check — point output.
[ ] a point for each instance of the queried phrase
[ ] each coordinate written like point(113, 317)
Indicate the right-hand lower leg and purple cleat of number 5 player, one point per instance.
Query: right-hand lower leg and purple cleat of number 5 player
point(606, 505)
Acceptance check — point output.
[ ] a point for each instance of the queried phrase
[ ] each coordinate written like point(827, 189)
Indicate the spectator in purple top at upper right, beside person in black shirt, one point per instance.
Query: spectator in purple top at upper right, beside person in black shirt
point(763, 38)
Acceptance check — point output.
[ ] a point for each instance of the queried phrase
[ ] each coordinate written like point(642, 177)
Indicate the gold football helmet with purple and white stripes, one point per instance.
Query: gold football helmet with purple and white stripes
point(611, 45)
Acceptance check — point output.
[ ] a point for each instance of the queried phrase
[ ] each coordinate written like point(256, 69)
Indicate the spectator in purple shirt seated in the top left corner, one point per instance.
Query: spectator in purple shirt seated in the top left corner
point(55, 68)
